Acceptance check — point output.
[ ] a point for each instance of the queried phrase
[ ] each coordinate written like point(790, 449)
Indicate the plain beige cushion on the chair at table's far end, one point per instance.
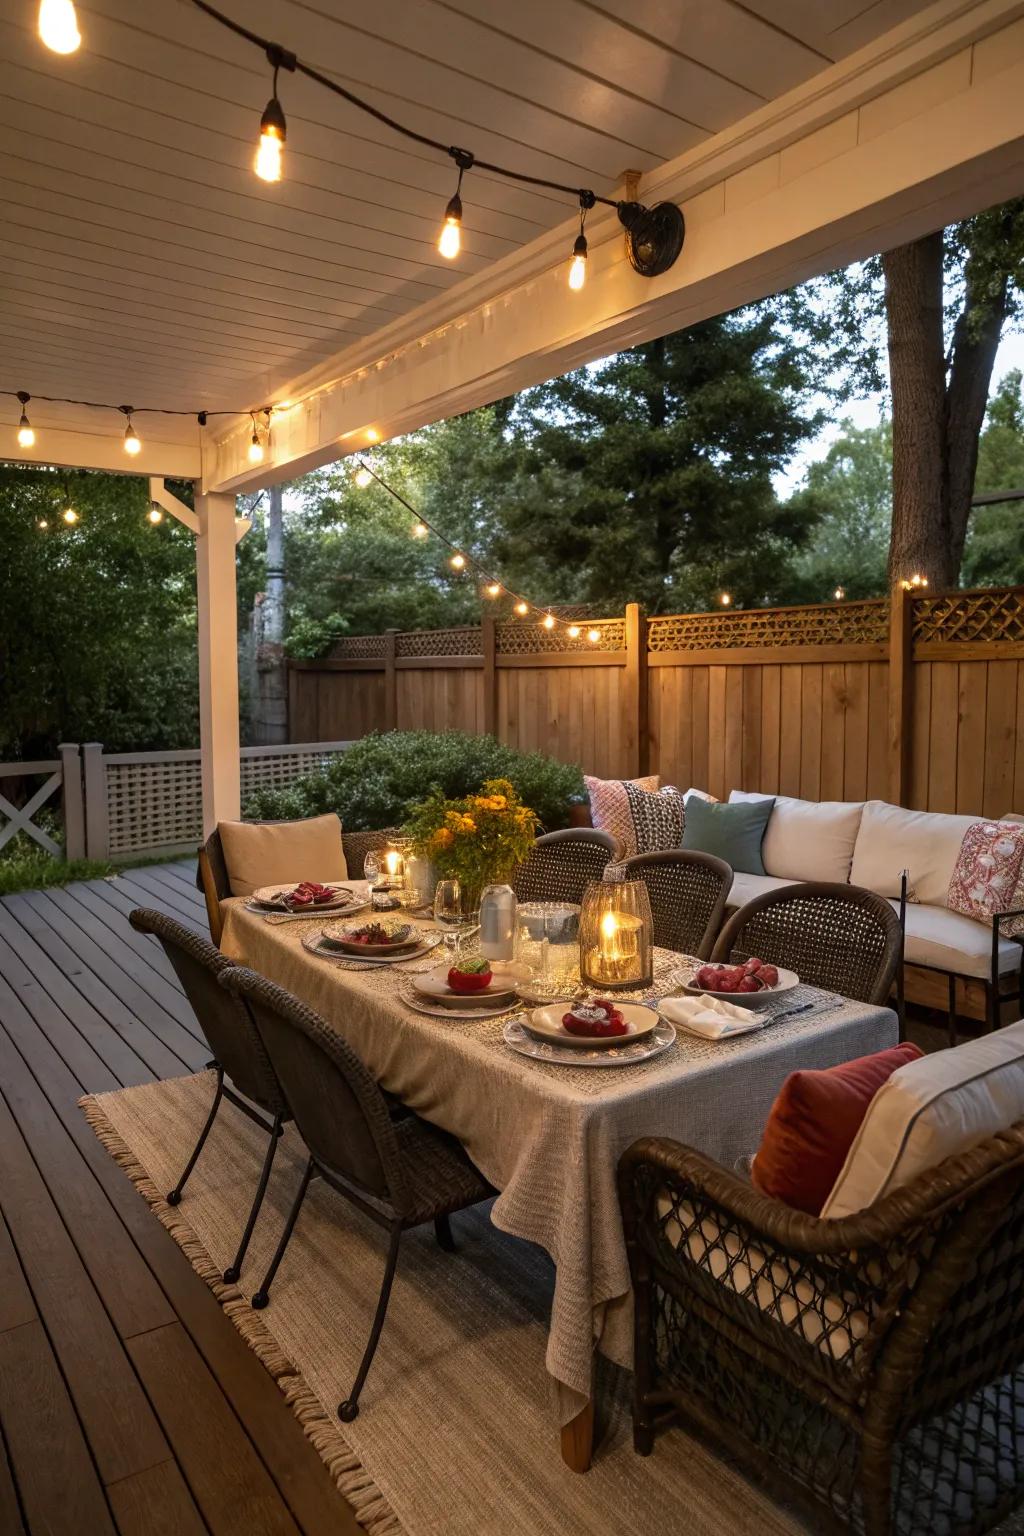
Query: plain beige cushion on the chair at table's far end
point(282, 853)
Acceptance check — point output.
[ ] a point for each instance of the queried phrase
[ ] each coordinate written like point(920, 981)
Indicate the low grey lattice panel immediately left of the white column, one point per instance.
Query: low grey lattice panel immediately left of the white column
point(154, 804)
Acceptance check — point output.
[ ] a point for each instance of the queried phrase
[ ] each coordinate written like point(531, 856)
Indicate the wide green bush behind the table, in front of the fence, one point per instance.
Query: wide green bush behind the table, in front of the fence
point(380, 778)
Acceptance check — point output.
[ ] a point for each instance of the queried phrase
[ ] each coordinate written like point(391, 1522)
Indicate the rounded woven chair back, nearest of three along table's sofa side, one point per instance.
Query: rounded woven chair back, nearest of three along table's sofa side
point(833, 936)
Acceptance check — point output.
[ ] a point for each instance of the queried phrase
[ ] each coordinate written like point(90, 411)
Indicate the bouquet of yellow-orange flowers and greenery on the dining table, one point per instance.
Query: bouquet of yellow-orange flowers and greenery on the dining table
point(475, 839)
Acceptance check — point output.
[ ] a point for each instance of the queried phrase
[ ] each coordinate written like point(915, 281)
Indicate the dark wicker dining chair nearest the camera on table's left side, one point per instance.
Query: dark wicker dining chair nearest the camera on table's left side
point(401, 1174)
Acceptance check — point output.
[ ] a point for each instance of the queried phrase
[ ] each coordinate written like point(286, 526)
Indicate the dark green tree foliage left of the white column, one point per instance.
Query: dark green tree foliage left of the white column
point(97, 620)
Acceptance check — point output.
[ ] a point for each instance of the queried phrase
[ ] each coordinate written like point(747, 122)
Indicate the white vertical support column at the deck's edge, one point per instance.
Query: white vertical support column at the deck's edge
point(219, 660)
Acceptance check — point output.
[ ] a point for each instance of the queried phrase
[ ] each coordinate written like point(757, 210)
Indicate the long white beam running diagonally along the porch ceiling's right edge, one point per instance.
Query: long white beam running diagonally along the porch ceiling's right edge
point(920, 130)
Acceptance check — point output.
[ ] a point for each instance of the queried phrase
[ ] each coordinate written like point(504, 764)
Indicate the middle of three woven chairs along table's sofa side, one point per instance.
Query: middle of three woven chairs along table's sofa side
point(689, 893)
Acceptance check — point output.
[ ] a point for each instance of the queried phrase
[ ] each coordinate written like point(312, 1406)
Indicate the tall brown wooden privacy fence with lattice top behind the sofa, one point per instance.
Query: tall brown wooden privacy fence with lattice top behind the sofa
point(916, 700)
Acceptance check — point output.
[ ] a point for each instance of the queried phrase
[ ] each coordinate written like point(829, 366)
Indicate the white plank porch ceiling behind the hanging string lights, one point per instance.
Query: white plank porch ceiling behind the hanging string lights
point(142, 262)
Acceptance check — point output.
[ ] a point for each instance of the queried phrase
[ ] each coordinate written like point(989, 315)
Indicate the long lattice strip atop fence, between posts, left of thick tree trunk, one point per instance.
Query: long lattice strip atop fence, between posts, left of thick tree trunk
point(831, 624)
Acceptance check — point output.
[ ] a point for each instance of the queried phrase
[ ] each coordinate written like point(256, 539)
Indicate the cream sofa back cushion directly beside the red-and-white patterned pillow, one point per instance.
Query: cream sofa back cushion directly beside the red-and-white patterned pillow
point(923, 842)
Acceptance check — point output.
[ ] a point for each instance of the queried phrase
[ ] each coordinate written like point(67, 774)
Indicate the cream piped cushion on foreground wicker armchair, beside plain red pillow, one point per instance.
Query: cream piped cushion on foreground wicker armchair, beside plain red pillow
point(928, 1111)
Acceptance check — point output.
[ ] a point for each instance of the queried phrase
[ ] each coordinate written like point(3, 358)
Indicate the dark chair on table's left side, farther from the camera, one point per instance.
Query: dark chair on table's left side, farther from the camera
point(239, 1053)
